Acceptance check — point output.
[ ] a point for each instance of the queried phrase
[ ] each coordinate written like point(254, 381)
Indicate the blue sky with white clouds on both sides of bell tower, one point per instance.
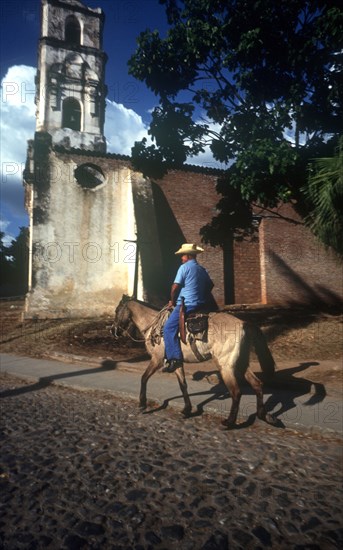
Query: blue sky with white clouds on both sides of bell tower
point(129, 101)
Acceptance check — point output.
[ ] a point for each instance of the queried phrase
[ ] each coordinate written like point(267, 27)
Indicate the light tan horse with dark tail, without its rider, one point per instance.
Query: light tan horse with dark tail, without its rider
point(229, 341)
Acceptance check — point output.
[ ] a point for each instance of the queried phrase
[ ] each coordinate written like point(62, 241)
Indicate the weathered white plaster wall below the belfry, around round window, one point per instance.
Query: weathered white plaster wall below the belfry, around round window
point(82, 260)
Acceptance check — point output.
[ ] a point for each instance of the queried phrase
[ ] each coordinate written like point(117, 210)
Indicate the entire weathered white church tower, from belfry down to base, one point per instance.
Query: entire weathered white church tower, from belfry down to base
point(81, 200)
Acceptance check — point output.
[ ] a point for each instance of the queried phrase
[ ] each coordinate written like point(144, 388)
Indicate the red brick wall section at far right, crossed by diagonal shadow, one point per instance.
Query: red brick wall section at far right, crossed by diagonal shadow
point(298, 269)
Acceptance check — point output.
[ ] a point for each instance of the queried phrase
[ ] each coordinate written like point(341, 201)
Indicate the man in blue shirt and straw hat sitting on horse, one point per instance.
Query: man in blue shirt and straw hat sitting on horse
point(191, 289)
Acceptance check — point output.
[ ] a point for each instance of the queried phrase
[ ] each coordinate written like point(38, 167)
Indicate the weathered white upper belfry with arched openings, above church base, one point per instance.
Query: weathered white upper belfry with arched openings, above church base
point(70, 81)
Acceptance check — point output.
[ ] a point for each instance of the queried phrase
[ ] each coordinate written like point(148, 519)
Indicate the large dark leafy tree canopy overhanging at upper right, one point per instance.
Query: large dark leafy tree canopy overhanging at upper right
point(259, 82)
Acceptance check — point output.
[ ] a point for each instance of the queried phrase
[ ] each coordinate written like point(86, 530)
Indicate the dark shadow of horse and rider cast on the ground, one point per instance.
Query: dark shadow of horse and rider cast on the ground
point(284, 387)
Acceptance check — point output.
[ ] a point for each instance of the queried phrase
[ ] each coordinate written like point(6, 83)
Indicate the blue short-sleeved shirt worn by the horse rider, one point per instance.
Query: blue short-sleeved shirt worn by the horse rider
point(195, 282)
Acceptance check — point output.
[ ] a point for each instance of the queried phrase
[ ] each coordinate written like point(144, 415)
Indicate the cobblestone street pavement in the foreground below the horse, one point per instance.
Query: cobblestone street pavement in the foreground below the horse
point(83, 469)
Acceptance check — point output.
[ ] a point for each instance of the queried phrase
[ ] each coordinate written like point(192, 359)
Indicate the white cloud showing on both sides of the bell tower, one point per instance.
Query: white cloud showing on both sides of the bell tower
point(17, 125)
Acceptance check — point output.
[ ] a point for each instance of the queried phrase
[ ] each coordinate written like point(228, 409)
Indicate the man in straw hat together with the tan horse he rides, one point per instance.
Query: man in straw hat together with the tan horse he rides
point(228, 342)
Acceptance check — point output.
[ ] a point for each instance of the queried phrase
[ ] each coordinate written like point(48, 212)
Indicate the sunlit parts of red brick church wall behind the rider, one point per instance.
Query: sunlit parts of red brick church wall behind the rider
point(285, 265)
